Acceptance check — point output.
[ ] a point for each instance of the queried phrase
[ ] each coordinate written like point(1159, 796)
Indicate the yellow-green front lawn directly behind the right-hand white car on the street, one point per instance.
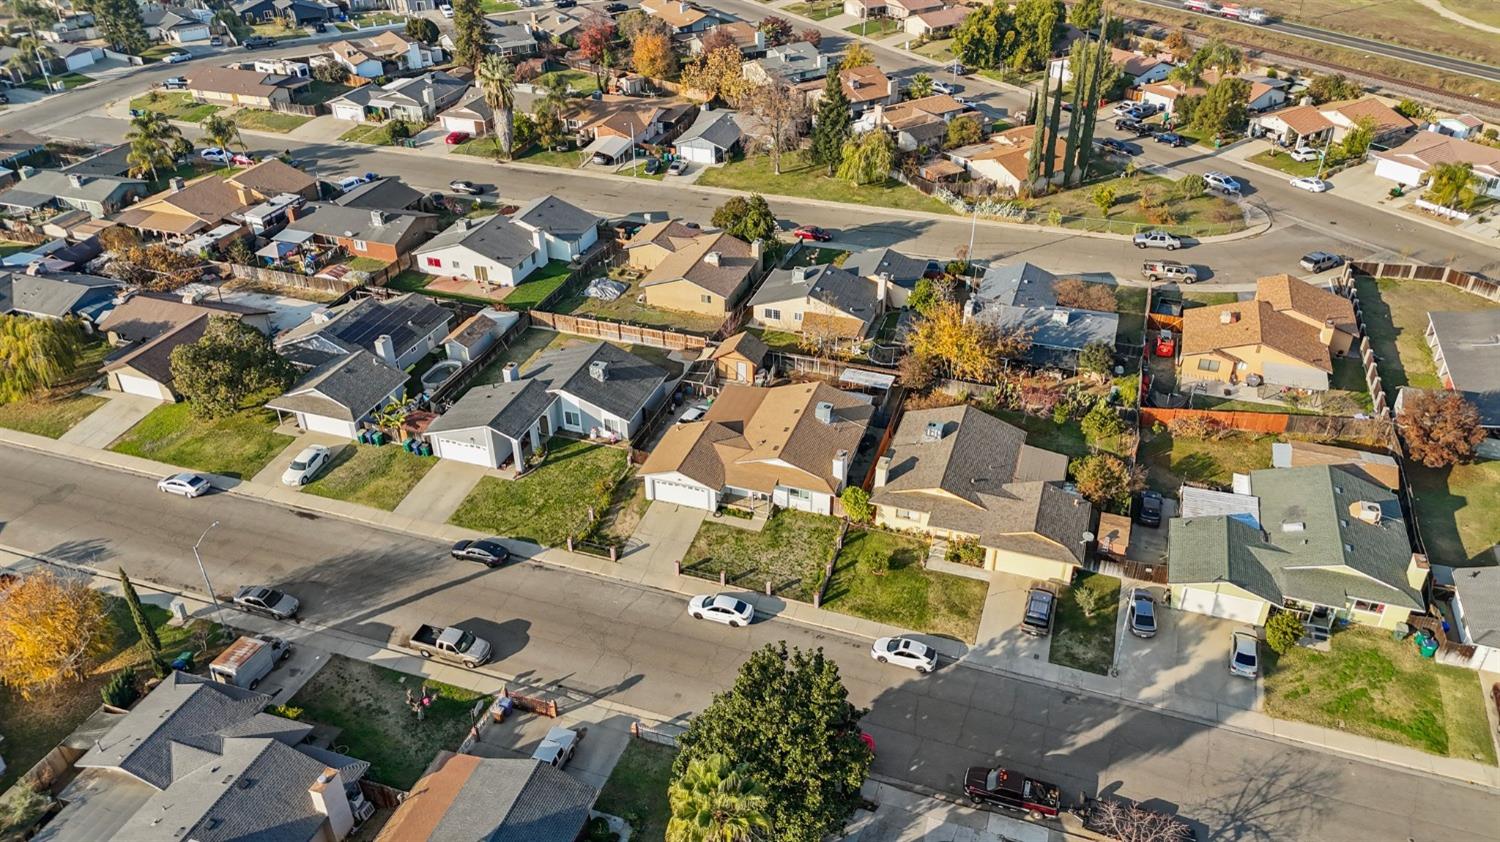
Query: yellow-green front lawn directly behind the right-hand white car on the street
point(908, 595)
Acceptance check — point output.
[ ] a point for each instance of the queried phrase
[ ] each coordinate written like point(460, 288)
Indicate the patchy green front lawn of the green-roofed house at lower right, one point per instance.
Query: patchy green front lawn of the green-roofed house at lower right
point(1376, 687)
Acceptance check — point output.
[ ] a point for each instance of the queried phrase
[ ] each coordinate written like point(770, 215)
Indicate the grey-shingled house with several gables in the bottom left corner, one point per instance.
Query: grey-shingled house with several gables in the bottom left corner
point(202, 760)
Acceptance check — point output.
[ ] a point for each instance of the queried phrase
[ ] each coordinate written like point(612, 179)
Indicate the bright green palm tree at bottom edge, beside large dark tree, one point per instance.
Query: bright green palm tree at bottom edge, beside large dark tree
point(715, 802)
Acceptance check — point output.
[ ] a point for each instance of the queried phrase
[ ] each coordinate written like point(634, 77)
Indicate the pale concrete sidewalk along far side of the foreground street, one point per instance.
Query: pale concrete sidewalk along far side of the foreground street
point(983, 657)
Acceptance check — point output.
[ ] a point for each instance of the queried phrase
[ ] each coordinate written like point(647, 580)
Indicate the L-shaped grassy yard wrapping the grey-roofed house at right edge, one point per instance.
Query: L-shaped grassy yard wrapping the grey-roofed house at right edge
point(1396, 317)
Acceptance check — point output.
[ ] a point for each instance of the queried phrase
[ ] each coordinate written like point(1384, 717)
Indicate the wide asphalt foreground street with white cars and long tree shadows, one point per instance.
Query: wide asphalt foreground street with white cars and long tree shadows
point(638, 648)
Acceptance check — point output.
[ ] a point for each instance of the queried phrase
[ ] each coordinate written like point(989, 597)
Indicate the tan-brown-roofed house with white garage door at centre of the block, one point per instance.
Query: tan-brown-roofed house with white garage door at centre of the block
point(788, 447)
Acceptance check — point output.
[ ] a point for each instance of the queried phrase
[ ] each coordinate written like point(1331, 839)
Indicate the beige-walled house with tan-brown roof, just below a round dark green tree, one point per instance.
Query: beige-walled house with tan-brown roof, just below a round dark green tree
point(706, 274)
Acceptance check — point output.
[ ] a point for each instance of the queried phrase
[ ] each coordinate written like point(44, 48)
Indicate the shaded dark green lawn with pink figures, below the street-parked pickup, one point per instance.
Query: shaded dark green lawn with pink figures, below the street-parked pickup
point(368, 706)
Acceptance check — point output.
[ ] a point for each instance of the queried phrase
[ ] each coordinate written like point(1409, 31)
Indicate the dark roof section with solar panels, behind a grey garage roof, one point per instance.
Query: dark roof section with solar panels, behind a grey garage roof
point(398, 331)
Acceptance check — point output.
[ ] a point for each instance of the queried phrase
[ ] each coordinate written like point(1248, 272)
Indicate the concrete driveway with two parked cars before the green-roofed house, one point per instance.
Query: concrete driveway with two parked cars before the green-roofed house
point(1187, 661)
